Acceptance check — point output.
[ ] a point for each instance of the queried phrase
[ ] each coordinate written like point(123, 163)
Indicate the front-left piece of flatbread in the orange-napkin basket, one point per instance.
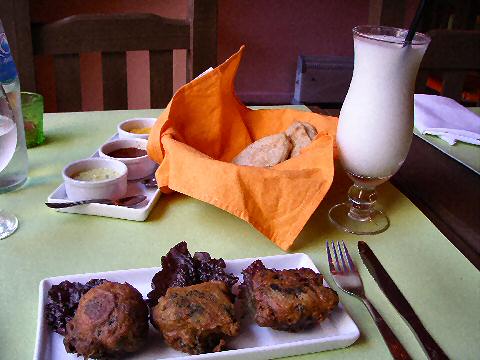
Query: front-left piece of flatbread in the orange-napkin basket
point(268, 151)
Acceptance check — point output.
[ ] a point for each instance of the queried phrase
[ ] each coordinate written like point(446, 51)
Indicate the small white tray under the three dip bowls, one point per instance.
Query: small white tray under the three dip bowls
point(138, 212)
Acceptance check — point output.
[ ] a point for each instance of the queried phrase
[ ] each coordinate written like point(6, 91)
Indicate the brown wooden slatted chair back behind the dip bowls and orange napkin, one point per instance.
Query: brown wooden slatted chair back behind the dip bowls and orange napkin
point(115, 34)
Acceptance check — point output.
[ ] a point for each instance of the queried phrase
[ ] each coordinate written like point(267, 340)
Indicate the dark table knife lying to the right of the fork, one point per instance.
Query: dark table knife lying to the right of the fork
point(394, 295)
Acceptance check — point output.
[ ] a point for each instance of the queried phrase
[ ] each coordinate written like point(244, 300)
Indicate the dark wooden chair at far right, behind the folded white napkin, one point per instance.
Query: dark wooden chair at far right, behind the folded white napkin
point(454, 54)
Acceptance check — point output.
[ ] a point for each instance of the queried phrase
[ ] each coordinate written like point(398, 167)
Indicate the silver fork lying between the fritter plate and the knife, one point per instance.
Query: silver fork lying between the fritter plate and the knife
point(347, 278)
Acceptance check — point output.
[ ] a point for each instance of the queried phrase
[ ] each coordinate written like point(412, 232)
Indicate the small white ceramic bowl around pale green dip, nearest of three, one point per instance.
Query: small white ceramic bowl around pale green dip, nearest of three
point(113, 188)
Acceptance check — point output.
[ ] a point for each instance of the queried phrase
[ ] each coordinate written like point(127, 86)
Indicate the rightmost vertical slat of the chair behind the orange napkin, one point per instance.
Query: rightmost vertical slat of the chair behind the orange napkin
point(161, 78)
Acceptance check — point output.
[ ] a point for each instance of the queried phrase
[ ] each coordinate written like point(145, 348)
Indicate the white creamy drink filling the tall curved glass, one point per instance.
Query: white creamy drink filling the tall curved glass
point(376, 120)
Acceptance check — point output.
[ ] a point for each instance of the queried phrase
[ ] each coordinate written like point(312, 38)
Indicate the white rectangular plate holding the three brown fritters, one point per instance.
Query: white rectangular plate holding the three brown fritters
point(253, 342)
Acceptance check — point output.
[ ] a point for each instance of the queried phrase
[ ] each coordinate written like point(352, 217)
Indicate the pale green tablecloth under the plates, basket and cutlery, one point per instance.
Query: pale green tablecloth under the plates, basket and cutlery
point(441, 285)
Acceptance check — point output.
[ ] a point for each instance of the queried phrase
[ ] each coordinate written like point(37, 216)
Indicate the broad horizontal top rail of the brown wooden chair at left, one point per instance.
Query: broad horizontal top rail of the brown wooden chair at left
point(115, 32)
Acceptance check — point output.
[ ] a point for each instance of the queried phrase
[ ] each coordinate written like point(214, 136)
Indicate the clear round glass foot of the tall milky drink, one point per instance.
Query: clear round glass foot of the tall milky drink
point(376, 221)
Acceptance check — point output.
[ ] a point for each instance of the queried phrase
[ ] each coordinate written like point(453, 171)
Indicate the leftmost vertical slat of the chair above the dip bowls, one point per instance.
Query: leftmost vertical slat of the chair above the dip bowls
point(67, 78)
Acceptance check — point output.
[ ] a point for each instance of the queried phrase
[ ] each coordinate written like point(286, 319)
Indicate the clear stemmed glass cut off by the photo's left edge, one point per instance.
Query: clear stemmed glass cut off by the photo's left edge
point(8, 144)
